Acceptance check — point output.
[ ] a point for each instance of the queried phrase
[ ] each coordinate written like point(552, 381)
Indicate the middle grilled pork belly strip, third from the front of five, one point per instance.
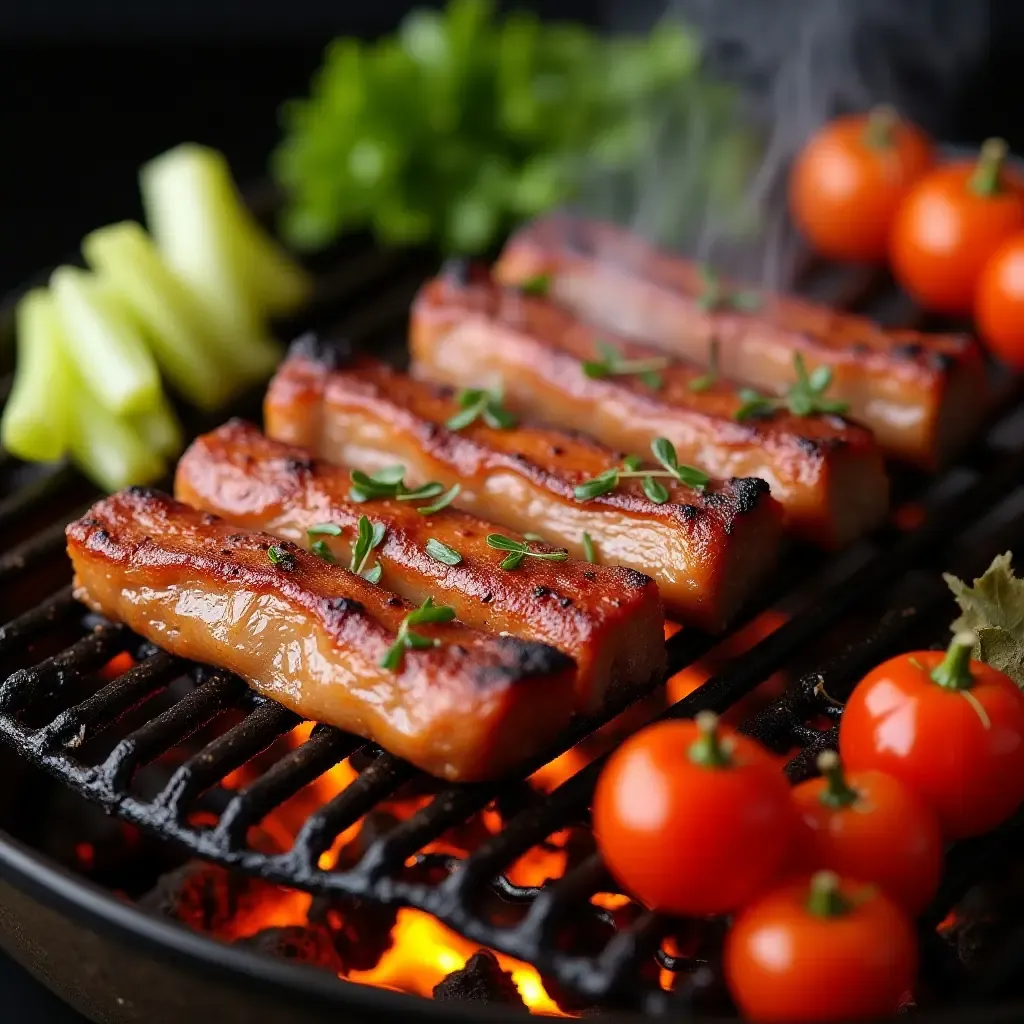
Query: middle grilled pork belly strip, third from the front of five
point(708, 552)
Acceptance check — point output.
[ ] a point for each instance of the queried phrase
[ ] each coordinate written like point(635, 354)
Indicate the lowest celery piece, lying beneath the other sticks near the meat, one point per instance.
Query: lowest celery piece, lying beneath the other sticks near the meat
point(108, 448)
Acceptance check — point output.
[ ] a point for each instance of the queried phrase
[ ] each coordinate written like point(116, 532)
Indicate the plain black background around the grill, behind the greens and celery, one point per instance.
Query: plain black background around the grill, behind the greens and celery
point(91, 91)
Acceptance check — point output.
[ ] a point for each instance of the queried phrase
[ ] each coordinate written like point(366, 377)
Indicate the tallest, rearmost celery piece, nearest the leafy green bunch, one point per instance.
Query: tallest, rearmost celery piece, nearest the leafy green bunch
point(197, 217)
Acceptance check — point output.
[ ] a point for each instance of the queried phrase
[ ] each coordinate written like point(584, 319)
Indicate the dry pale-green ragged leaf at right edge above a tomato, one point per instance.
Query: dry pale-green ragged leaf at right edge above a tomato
point(994, 611)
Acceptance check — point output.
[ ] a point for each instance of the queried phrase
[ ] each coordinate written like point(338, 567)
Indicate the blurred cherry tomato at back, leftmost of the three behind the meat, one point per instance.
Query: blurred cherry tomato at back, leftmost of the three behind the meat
point(850, 179)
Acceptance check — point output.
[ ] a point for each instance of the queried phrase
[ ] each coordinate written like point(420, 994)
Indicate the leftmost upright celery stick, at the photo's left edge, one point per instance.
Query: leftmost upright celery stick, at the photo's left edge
point(35, 420)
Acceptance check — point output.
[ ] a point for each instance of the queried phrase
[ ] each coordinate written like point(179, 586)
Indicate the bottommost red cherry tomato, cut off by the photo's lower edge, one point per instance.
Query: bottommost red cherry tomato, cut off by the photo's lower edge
point(824, 951)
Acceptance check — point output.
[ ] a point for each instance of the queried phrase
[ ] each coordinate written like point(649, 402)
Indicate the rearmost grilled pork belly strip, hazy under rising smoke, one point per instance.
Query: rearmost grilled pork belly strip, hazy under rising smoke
point(923, 395)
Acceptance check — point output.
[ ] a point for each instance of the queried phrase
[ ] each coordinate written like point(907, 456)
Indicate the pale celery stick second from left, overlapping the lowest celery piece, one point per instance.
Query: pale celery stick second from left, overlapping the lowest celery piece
point(104, 346)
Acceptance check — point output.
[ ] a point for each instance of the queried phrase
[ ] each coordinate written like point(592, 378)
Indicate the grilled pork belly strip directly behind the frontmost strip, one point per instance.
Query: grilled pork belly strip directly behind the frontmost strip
point(609, 620)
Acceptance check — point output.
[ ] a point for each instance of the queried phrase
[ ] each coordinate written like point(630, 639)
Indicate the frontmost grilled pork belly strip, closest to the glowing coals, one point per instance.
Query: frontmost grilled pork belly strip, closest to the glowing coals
point(312, 636)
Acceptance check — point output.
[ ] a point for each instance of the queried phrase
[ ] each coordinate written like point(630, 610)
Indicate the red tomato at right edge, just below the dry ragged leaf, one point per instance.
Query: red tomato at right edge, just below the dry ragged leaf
point(951, 729)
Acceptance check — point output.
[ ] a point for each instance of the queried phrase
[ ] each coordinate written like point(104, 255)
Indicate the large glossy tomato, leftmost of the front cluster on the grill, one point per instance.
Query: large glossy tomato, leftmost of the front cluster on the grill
point(692, 820)
